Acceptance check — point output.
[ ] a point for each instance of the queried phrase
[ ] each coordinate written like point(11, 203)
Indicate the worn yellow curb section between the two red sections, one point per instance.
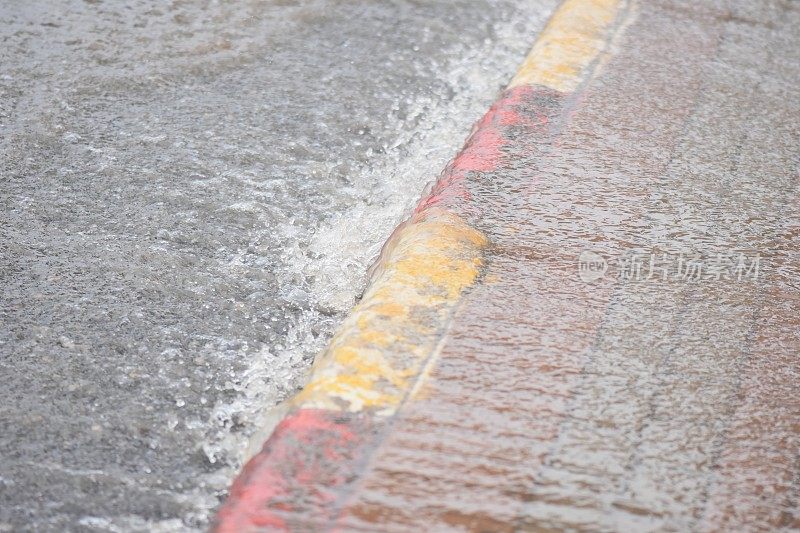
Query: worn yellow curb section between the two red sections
point(382, 347)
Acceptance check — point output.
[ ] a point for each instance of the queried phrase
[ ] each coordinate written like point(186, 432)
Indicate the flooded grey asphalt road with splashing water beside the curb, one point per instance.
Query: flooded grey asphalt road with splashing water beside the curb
point(191, 193)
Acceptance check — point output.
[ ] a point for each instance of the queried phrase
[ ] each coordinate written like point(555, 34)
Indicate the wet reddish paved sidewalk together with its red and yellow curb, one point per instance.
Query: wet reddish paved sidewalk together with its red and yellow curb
point(591, 322)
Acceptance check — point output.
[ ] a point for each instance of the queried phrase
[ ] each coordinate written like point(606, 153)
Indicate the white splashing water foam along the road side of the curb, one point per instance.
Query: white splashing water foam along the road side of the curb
point(336, 255)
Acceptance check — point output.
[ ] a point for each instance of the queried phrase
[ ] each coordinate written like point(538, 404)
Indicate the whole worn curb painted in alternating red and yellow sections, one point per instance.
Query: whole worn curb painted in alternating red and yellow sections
point(384, 351)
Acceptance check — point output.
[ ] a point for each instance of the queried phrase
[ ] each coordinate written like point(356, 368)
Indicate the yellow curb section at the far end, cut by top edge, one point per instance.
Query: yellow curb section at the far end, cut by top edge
point(572, 40)
